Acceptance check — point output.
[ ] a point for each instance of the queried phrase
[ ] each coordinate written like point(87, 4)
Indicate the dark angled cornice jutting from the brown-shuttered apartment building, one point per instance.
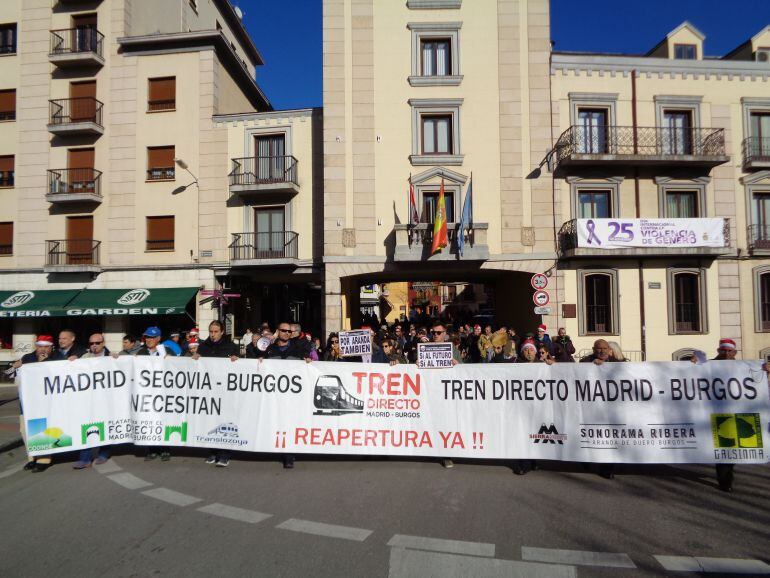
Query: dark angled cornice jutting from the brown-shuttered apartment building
point(178, 42)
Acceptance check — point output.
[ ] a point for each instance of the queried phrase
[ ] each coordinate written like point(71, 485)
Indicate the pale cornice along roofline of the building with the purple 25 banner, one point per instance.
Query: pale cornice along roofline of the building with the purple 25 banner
point(601, 63)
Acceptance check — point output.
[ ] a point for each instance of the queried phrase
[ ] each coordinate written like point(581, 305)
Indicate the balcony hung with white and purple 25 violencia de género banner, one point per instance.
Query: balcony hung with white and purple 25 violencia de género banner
point(634, 238)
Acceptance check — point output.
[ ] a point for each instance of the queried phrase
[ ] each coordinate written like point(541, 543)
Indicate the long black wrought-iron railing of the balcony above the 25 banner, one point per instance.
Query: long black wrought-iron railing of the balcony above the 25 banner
point(640, 141)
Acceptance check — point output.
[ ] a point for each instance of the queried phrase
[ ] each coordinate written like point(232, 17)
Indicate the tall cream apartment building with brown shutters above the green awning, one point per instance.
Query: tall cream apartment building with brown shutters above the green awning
point(113, 175)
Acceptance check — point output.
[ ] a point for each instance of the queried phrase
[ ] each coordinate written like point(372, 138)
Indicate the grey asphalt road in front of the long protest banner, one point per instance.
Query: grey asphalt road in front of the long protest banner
point(377, 517)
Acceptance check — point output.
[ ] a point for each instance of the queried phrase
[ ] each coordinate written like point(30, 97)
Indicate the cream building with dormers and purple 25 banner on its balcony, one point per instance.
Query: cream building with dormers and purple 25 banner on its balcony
point(681, 137)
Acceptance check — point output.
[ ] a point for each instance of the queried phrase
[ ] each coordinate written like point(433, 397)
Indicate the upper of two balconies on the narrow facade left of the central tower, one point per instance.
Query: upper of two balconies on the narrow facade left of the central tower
point(263, 175)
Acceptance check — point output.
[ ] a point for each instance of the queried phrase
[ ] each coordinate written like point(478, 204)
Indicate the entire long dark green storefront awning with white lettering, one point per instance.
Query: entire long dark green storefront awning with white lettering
point(87, 302)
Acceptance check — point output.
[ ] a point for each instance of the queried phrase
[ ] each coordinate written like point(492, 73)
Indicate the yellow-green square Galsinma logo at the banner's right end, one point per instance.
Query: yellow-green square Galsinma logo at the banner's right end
point(737, 435)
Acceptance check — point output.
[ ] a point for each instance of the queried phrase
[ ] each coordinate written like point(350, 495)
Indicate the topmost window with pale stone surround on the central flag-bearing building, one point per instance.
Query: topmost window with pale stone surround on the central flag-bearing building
point(435, 53)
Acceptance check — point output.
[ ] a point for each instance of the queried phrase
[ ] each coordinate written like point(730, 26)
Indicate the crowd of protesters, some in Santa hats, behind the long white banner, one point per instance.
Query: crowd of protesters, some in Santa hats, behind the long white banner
point(391, 343)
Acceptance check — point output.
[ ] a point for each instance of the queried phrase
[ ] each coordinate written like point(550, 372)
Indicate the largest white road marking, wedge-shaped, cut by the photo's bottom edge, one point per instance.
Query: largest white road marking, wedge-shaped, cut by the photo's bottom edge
point(418, 564)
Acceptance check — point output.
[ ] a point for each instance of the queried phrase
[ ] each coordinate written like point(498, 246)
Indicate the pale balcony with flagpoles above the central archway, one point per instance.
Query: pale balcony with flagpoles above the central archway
point(414, 243)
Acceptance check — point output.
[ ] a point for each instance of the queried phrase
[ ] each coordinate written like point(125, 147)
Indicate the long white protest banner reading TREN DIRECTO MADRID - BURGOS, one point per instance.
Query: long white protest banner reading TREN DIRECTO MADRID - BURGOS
point(675, 412)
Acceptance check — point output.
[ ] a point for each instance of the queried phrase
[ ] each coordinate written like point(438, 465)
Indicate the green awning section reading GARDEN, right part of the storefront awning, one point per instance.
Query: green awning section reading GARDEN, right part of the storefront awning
point(131, 301)
